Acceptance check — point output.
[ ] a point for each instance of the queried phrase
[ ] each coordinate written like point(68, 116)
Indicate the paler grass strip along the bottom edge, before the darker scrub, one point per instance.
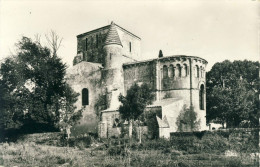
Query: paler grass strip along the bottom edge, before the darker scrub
point(31, 154)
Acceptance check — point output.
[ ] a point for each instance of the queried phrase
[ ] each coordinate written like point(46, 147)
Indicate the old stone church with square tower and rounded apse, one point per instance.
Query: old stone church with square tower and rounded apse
point(107, 64)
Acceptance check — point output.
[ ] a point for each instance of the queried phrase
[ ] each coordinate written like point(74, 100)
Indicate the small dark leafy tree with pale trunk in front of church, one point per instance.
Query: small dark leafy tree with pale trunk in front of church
point(134, 103)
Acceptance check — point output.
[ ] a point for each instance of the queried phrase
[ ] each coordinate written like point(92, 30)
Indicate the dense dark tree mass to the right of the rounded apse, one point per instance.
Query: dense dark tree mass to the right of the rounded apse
point(232, 90)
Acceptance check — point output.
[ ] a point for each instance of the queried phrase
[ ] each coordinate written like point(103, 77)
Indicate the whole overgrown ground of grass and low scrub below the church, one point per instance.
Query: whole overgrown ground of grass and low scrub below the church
point(211, 150)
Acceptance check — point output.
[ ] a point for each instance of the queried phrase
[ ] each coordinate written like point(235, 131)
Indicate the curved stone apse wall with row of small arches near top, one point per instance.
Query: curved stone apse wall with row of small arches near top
point(186, 85)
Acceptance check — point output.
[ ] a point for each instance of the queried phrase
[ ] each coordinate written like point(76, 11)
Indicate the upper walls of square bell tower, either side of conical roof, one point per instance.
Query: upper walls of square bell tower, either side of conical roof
point(93, 51)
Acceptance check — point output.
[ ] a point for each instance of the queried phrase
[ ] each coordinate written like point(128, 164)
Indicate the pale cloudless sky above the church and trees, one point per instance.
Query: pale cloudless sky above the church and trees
point(215, 30)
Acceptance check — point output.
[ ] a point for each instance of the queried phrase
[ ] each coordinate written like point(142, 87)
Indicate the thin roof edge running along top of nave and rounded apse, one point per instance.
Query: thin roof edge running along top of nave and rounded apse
point(163, 58)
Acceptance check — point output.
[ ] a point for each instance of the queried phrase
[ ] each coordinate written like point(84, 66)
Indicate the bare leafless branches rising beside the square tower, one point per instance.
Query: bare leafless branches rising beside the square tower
point(54, 41)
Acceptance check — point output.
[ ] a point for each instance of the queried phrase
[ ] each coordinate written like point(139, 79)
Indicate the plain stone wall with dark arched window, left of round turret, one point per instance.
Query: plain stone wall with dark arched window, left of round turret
point(86, 75)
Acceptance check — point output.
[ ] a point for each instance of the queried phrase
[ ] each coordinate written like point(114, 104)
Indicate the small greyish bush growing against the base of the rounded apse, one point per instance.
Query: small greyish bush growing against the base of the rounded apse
point(187, 119)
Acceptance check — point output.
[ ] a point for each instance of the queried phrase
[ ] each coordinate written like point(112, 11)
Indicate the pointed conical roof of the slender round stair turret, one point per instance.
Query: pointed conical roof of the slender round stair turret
point(112, 36)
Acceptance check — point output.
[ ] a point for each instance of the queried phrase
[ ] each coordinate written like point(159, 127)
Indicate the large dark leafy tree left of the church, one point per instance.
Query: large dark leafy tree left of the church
point(34, 94)
